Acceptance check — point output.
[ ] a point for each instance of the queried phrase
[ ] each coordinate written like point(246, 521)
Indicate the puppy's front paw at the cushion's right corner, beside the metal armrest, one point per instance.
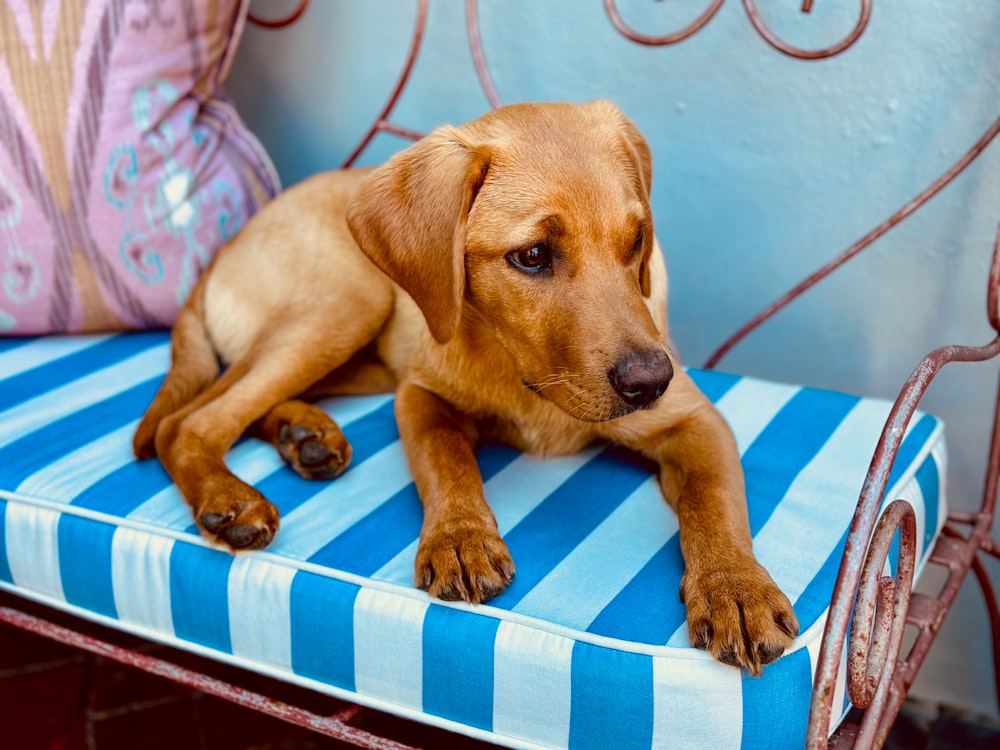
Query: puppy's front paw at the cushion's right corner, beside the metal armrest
point(739, 615)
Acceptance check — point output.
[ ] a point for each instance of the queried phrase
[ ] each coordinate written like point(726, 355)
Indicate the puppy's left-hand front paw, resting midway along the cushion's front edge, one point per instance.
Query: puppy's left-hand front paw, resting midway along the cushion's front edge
point(467, 562)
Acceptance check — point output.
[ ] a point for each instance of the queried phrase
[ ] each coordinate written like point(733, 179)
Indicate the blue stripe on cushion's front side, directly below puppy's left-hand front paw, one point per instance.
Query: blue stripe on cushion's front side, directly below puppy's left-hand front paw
point(458, 649)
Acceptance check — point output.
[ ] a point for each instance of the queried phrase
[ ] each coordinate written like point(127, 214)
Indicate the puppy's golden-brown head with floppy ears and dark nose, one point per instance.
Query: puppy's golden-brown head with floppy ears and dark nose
point(535, 218)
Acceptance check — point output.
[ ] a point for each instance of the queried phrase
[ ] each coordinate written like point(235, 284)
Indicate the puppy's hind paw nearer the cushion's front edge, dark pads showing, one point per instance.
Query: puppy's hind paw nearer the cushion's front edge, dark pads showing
point(236, 515)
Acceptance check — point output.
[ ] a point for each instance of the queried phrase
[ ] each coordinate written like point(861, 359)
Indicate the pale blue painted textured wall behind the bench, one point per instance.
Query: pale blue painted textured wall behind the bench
point(765, 167)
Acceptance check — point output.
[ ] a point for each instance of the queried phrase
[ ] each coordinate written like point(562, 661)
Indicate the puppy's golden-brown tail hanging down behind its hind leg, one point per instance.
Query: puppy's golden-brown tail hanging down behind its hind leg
point(194, 367)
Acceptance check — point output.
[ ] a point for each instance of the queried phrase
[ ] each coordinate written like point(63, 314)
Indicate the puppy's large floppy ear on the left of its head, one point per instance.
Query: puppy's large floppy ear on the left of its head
point(409, 217)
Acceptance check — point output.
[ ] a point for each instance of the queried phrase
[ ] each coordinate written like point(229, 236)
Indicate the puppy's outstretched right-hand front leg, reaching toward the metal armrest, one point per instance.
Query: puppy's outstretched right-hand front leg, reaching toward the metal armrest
point(734, 608)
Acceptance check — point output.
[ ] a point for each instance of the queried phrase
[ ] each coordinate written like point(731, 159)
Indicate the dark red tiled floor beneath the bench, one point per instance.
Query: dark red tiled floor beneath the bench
point(56, 697)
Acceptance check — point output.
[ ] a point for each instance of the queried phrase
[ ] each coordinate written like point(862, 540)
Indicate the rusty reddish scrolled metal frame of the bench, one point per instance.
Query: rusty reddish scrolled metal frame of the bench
point(869, 611)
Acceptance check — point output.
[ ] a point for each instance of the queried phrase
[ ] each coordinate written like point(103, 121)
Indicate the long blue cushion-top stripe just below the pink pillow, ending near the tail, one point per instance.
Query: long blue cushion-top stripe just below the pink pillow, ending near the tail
point(53, 374)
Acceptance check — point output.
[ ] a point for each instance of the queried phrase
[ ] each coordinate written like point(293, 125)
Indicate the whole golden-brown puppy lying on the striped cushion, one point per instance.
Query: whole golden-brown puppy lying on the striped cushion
point(509, 287)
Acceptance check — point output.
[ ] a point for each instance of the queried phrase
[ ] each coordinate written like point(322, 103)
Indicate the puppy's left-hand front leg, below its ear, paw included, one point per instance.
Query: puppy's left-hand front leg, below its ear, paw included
point(461, 554)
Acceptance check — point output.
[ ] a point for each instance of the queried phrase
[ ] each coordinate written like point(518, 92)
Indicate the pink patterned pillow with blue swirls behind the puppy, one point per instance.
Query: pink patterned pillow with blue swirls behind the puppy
point(123, 166)
